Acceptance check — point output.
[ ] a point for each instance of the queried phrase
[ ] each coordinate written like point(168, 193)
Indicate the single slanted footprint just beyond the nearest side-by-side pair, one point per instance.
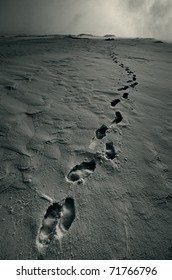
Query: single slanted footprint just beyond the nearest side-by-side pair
point(82, 171)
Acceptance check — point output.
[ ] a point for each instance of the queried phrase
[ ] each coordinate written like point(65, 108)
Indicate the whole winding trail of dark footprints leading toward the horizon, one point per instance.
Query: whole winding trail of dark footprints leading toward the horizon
point(60, 216)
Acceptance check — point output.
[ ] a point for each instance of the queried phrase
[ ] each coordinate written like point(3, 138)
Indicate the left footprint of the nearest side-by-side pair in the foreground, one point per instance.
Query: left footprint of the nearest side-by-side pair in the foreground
point(49, 223)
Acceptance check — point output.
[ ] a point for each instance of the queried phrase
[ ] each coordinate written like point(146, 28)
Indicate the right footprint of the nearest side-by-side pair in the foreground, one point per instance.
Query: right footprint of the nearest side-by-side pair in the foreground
point(67, 218)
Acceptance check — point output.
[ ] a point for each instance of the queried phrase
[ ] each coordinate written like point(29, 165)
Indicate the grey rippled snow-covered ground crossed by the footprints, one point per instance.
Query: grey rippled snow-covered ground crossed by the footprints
point(86, 141)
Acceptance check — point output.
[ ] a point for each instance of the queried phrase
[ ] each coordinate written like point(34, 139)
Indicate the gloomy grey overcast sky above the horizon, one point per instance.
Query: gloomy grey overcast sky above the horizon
point(138, 18)
